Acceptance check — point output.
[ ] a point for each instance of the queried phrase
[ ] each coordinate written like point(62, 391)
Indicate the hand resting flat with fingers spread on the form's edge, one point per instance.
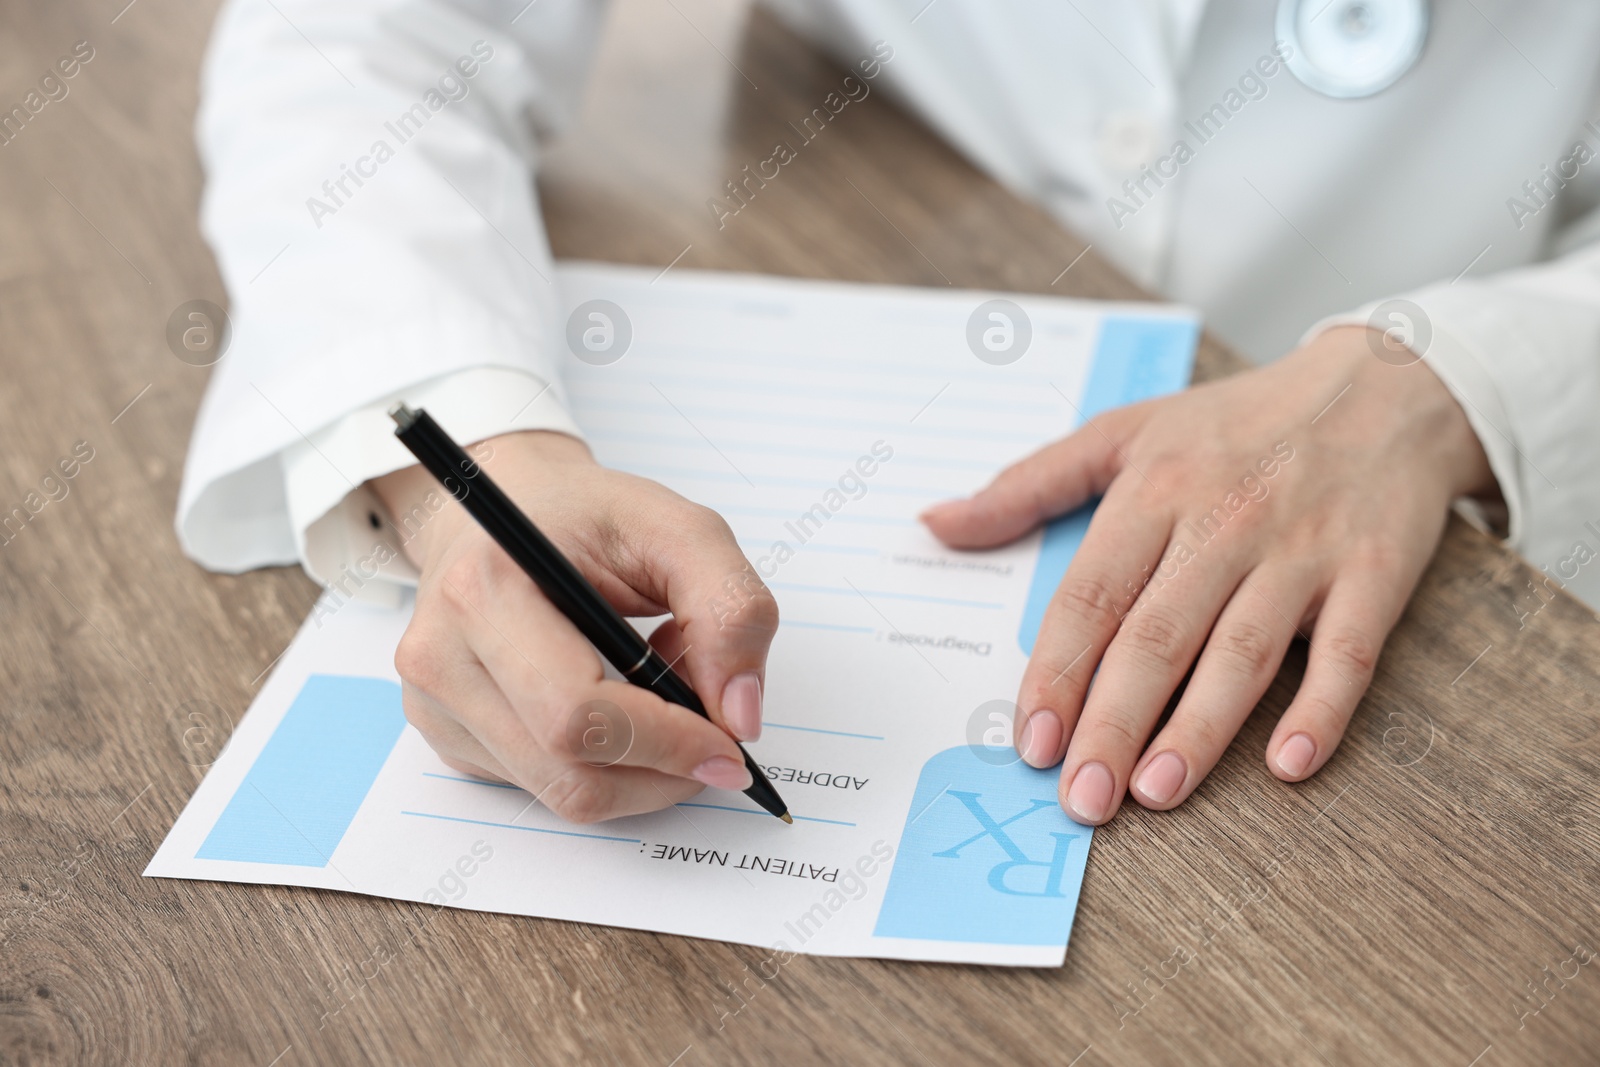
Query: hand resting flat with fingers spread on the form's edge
point(1302, 498)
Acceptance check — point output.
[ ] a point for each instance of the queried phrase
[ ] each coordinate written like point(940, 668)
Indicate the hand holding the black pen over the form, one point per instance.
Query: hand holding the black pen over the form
point(505, 687)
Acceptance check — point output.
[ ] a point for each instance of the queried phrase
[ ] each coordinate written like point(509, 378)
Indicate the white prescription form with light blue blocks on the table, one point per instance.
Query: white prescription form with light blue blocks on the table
point(818, 420)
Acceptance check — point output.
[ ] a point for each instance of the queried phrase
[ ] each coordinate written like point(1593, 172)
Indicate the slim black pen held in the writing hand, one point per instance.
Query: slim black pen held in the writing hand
point(558, 578)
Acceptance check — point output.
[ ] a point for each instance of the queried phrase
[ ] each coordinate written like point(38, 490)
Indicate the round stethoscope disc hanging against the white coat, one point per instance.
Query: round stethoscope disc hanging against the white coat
point(1351, 49)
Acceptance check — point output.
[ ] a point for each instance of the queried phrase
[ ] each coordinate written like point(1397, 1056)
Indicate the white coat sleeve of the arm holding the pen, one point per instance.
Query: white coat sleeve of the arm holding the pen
point(372, 209)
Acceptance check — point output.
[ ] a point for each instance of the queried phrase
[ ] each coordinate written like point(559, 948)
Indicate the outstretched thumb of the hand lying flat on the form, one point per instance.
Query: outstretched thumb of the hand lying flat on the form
point(1052, 482)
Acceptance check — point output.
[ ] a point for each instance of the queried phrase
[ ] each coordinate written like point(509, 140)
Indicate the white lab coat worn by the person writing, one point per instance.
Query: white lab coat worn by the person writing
point(1460, 188)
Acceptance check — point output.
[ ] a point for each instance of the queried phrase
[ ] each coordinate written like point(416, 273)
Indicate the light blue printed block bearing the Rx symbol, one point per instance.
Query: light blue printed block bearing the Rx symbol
point(986, 857)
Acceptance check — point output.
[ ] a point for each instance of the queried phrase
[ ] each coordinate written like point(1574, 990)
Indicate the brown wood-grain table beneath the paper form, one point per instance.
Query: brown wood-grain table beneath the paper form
point(1396, 909)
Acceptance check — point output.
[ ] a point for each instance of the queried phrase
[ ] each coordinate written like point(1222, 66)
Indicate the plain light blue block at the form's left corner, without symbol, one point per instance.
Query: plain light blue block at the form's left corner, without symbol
point(313, 775)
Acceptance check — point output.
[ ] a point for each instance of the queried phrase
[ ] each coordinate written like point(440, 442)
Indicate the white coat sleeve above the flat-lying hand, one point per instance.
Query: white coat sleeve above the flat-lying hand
point(1521, 353)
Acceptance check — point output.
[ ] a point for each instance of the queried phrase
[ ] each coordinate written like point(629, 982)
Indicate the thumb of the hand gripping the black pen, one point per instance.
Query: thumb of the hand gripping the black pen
point(724, 620)
